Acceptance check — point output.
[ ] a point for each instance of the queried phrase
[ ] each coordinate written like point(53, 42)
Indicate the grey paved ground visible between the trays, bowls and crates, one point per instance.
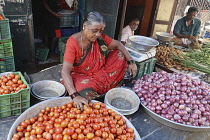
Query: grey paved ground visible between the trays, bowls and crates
point(148, 128)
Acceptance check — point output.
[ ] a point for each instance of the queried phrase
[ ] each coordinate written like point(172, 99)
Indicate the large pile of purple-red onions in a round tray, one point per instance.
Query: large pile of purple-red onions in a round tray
point(176, 97)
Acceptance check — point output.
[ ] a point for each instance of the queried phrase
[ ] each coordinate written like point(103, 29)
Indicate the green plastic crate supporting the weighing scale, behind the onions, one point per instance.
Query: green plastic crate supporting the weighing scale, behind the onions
point(145, 67)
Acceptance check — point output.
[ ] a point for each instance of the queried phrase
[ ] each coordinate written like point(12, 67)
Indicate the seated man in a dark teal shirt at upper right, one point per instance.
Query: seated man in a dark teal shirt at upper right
point(187, 29)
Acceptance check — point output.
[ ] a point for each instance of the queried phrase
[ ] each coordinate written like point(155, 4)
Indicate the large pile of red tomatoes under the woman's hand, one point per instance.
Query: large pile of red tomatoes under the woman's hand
point(95, 122)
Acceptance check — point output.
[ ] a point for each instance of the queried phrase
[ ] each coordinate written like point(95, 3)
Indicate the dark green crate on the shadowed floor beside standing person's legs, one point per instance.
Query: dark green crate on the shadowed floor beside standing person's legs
point(41, 52)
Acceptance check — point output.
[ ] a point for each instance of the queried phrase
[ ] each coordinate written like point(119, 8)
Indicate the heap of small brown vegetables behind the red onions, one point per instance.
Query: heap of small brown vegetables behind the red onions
point(164, 56)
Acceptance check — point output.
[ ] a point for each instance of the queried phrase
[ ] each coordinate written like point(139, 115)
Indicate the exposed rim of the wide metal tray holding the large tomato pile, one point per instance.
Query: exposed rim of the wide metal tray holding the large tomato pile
point(34, 110)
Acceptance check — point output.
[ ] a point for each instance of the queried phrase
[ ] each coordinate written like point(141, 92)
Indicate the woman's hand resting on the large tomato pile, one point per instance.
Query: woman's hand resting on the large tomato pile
point(79, 101)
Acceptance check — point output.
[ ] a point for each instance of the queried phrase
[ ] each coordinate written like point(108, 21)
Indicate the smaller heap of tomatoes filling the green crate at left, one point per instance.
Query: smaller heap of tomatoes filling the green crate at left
point(11, 84)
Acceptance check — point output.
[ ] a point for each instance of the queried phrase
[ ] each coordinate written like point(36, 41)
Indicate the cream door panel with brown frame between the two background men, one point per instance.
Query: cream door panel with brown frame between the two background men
point(164, 15)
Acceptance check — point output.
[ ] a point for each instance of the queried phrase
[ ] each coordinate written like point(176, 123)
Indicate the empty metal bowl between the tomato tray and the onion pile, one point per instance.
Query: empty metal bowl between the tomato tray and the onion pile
point(126, 94)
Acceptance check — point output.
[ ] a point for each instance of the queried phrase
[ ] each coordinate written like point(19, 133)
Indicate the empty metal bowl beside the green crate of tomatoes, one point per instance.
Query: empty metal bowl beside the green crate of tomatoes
point(48, 89)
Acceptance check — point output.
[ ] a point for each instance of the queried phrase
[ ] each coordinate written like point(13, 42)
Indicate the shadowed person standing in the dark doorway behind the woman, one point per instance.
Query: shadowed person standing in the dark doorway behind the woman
point(51, 24)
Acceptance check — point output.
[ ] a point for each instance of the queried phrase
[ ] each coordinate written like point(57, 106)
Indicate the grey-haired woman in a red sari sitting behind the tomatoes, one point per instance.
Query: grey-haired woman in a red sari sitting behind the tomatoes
point(93, 62)
